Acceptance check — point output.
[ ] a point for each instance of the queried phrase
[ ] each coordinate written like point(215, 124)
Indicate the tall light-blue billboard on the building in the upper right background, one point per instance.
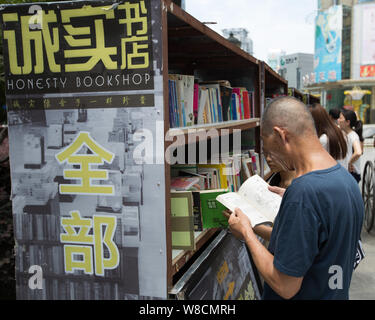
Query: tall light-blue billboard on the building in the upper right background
point(328, 45)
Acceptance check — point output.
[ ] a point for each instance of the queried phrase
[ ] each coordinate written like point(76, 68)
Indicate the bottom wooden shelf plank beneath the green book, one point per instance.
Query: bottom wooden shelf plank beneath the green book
point(180, 257)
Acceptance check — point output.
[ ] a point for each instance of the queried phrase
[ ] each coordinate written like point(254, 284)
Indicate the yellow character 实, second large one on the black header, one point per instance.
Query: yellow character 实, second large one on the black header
point(83, 47)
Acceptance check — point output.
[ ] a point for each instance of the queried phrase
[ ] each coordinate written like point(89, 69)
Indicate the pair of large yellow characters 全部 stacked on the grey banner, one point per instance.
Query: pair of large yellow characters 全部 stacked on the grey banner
point(85, 177)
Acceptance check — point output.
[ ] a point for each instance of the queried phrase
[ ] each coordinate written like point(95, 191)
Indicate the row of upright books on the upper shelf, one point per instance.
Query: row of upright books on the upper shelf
point(192, 103)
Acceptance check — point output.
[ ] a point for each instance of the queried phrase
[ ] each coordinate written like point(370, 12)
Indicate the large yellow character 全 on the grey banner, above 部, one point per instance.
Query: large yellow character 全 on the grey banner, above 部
point(85, 174)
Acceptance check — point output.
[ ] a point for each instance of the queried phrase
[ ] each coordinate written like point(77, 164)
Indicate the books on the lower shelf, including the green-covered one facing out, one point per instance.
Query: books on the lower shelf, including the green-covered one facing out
point(194, 191)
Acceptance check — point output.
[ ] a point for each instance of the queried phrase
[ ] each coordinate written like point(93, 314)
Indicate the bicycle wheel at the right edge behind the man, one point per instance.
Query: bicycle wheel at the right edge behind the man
point(368, 195)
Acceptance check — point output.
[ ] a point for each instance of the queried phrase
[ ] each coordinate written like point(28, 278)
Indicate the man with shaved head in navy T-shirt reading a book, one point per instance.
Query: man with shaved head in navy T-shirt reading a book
point(315, 234)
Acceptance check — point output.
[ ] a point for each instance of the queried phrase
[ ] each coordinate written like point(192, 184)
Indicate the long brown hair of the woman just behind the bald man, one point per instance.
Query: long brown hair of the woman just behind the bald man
point(324, 125)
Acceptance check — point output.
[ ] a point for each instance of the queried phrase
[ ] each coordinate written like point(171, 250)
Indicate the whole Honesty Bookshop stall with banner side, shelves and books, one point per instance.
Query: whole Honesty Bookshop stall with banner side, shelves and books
point(126, 122)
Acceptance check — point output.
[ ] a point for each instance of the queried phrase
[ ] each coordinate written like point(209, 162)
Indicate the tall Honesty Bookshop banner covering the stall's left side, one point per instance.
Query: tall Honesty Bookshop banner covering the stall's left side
point(83, 81)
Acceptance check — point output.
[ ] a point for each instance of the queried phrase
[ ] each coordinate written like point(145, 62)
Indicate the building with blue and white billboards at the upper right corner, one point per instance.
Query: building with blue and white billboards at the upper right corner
point(354, 86)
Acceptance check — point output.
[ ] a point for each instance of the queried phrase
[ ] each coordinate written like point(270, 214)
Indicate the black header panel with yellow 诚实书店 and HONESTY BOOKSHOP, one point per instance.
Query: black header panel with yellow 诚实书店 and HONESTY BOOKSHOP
point(90, 48)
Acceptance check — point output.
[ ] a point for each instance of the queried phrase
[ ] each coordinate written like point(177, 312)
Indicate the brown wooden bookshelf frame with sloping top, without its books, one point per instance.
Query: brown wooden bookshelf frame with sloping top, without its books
point(192, 48)
